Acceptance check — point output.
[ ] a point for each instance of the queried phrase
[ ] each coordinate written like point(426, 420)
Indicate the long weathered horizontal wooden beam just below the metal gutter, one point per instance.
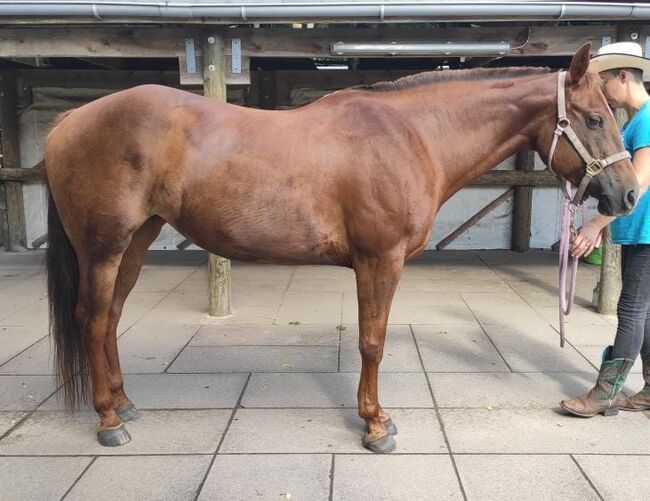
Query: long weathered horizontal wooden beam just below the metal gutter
point(170, 42)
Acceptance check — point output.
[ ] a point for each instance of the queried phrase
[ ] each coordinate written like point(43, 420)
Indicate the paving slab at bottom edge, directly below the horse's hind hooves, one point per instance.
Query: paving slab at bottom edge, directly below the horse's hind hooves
point(144, 478)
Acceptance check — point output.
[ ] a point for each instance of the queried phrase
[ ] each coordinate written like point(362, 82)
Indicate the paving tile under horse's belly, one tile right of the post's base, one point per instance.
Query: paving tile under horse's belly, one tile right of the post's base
point(313, 308)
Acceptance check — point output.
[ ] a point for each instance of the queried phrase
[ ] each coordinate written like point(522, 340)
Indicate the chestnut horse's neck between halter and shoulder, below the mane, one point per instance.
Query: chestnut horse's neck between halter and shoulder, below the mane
point(478, 124)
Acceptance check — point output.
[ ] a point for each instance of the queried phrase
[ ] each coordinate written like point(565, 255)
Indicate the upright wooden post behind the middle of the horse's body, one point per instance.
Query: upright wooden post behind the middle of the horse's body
point(214, 87)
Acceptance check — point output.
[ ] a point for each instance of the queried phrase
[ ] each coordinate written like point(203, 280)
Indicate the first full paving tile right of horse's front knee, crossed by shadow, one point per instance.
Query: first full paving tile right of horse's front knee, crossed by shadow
point(450, 348)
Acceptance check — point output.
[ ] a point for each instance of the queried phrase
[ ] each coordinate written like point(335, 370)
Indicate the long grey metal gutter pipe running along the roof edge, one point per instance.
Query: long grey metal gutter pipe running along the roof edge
point(275, 12)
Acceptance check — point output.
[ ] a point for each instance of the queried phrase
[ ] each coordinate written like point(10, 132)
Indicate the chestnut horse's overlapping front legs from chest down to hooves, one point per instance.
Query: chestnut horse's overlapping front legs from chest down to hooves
point(377, 279)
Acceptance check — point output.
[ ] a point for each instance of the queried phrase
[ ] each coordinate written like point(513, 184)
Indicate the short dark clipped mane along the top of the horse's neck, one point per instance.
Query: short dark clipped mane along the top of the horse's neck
point(430, 77)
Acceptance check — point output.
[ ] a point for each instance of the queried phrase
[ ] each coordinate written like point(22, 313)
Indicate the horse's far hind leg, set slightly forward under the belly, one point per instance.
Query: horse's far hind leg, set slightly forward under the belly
point(127, 276)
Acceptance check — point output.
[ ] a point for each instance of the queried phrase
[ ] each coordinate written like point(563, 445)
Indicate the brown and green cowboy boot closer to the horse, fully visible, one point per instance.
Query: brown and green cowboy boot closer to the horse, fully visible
point(602, 398)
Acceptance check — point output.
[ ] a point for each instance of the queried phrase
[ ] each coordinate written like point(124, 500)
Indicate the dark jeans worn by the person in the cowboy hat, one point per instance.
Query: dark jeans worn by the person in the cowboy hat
point(633, 333)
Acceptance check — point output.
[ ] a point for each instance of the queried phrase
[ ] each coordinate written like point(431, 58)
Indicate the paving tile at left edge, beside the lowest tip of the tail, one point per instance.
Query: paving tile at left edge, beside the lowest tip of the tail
point(18, 393)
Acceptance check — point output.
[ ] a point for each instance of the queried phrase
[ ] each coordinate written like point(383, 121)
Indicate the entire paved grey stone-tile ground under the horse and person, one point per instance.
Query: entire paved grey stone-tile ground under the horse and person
point(262, 405)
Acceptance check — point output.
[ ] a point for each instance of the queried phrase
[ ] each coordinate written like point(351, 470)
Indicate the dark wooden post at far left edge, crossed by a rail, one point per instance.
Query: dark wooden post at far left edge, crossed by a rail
point(15, 210)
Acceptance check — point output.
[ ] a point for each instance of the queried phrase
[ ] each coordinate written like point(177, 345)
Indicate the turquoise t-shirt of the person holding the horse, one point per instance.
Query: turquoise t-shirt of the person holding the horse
point(635, 227)
